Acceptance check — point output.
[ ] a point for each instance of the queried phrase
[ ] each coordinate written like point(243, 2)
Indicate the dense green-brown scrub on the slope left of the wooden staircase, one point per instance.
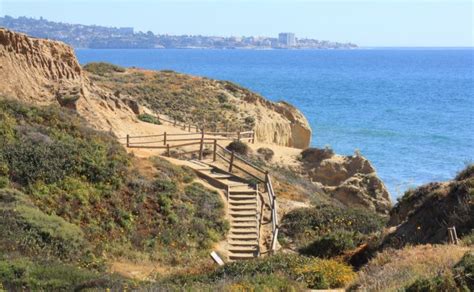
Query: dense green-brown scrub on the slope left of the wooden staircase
point(70, 195)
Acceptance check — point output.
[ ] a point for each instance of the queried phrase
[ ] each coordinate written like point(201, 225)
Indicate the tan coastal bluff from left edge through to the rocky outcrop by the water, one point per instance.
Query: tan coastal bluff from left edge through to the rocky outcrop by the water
point(112, 98)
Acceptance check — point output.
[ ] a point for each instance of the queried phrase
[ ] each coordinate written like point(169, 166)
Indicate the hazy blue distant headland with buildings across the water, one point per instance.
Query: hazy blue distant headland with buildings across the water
point(101, 37)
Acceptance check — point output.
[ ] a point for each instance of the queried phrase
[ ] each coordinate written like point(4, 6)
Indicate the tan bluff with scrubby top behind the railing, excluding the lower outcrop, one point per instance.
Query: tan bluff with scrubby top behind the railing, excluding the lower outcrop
point(47, 72)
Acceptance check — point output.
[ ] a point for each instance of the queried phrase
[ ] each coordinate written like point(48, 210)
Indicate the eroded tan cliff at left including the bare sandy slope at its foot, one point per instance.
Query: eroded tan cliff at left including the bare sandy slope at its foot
point(47, 72)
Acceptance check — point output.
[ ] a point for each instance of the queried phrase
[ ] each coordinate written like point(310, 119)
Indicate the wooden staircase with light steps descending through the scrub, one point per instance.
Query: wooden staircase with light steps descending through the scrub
point(243, 205)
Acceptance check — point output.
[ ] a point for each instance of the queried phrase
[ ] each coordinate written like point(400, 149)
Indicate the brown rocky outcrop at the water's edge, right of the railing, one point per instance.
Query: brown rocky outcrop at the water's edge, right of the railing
point(352, 180)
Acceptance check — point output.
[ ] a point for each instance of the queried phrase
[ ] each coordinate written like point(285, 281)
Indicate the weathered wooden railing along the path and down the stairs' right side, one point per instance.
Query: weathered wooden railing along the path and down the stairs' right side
point(231, 160)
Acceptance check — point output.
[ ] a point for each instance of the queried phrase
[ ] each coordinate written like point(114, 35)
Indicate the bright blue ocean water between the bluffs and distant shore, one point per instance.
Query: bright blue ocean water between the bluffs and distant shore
point(410, 111)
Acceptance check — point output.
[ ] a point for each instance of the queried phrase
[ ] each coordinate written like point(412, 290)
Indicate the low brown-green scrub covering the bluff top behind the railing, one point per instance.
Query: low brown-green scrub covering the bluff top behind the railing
point(197, 101)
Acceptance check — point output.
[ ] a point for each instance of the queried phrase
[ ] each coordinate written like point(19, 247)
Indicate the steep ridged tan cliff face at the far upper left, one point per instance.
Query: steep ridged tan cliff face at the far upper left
point(36, 69)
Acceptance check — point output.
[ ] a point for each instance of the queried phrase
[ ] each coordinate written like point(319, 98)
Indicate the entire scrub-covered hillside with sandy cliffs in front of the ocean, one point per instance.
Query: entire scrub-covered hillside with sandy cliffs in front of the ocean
point(79, 210)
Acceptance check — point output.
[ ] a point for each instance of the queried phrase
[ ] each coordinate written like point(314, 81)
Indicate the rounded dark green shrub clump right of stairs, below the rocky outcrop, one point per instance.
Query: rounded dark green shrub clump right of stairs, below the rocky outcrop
point(328, 231)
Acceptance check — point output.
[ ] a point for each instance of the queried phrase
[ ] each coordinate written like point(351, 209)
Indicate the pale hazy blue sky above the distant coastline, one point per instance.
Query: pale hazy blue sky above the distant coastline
point(367, 23)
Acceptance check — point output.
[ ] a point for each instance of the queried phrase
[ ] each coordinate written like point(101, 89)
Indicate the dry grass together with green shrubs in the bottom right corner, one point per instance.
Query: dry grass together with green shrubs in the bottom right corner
point(393, 269)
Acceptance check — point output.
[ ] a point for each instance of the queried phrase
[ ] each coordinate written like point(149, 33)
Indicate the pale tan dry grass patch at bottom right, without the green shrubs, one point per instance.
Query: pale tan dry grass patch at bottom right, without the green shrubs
point(392, 269)
